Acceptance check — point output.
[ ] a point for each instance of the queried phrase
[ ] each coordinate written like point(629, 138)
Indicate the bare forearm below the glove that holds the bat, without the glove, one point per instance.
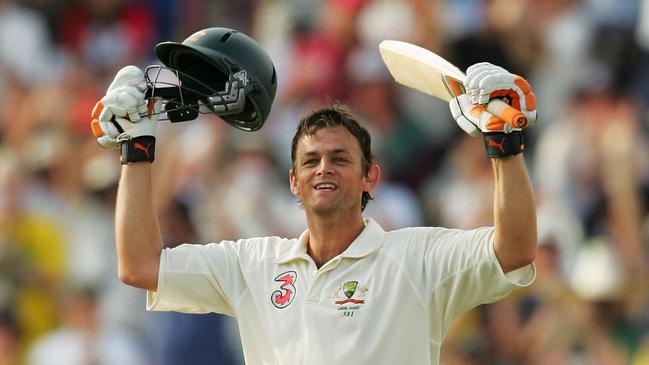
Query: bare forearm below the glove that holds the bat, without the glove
point(514, 213)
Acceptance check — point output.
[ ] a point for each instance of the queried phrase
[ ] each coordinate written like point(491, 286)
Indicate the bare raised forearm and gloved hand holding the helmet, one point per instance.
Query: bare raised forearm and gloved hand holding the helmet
point(124, 120)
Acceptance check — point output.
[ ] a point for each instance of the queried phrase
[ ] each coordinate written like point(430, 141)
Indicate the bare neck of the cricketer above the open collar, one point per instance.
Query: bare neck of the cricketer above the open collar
point(330, 236)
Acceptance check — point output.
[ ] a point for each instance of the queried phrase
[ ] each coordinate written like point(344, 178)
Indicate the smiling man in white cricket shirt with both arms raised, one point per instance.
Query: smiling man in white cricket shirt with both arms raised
point(345, 291)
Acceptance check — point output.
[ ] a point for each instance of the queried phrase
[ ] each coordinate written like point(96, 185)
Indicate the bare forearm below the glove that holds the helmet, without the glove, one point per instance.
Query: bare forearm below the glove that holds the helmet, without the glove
point(136, 226)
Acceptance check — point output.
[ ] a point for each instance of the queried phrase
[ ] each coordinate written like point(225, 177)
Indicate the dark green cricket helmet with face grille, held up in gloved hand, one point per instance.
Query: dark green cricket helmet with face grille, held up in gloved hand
point(210, 59)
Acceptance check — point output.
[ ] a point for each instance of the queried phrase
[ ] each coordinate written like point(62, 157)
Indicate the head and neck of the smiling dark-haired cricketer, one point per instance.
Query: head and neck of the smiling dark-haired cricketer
point(332, 173)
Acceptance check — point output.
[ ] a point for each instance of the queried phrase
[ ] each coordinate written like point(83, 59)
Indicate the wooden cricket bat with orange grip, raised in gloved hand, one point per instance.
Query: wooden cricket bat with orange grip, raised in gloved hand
point(418, 68)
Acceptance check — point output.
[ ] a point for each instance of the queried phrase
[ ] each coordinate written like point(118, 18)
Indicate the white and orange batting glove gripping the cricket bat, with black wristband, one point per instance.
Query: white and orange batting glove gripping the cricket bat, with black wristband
point(484, 82)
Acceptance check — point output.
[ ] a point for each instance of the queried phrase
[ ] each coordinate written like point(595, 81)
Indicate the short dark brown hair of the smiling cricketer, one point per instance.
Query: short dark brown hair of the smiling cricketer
point(334, 116)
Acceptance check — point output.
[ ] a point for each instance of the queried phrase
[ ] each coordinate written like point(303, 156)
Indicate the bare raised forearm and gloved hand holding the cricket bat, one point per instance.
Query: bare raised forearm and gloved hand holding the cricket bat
point(514, 209)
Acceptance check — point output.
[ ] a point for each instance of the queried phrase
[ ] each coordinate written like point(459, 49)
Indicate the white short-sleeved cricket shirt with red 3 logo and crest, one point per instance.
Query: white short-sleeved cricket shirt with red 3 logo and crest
point(388, 299)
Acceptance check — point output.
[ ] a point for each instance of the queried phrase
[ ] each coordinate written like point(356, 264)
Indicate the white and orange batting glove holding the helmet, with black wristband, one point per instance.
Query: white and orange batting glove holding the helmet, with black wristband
point(124, 119)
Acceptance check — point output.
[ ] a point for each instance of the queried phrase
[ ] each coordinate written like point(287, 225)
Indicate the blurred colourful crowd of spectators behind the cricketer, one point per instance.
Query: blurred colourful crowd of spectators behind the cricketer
point(587, 60)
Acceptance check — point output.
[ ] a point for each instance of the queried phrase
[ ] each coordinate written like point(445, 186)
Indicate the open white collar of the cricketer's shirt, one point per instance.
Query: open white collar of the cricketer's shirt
point(362, 246)
